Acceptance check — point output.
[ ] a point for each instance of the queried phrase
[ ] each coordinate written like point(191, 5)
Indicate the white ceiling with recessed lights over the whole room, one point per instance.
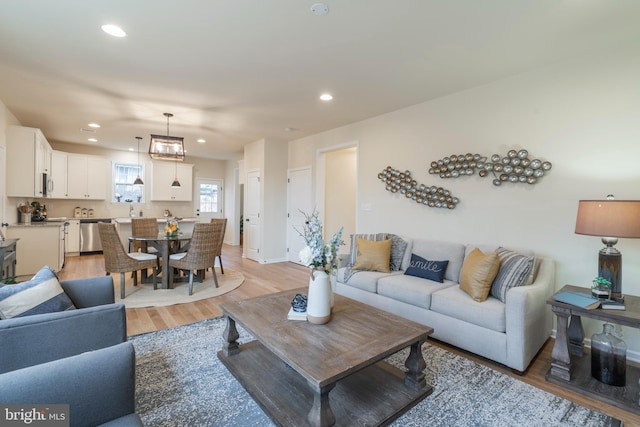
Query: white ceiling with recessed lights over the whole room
point(236, 71)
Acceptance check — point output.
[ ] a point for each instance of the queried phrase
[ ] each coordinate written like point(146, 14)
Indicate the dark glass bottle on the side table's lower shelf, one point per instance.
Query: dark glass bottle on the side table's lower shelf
point(608, 357)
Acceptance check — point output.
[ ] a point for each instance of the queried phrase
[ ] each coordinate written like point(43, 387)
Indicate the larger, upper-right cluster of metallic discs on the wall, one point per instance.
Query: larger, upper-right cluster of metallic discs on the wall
point(514, 167)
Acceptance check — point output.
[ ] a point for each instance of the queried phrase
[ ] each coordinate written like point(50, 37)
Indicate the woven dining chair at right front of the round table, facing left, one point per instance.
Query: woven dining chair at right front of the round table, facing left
point(201, 253)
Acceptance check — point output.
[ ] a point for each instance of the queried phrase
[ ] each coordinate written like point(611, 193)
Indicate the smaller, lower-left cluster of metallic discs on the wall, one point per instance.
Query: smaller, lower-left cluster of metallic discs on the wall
point(402, 182)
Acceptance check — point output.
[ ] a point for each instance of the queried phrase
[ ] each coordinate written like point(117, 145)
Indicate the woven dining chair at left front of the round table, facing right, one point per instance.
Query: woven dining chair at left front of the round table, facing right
point(117, 260)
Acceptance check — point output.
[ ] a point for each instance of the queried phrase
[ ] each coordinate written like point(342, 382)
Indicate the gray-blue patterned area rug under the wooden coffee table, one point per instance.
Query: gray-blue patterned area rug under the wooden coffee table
point(181, 382)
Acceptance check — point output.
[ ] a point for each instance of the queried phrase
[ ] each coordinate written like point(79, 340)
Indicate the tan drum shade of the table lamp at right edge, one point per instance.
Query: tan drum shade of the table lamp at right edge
point(609, 218)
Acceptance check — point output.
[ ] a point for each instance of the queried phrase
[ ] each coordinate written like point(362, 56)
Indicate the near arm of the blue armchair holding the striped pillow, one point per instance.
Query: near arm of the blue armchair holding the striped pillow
point(30, 340)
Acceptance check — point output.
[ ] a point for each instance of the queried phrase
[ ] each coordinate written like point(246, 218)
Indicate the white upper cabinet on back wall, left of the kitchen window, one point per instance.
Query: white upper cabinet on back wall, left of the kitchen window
point(87, 177)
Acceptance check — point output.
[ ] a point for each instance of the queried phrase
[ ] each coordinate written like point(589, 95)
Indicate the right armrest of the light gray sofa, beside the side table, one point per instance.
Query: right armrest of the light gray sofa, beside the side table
point(528, 317)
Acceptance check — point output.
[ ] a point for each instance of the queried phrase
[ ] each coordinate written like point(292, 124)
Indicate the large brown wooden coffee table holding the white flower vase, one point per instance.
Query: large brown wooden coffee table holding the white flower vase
point(321, 375)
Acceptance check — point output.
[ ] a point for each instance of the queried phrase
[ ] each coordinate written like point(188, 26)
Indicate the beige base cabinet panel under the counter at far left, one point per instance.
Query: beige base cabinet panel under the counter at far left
point(39, 245)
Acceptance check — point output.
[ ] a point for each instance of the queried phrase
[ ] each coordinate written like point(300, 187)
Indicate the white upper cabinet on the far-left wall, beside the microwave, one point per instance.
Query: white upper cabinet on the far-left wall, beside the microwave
point(29, 163)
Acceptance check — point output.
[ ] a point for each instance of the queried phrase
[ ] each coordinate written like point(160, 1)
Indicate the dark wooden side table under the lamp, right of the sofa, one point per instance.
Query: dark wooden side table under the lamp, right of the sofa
point(571, 366)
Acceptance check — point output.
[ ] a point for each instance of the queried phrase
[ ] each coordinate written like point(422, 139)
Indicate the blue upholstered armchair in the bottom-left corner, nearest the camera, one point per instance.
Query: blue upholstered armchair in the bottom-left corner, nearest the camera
point(99, 386)
